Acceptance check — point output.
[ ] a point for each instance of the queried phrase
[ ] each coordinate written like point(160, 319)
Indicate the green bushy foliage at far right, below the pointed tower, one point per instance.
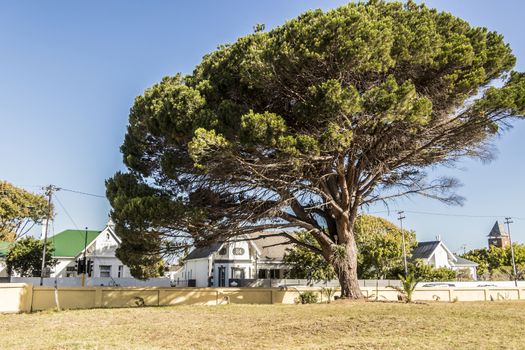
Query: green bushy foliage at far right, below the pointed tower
point(496, 263)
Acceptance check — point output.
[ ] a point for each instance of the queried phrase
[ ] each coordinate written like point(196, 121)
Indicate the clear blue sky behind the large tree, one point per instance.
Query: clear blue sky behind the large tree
point(69, 72)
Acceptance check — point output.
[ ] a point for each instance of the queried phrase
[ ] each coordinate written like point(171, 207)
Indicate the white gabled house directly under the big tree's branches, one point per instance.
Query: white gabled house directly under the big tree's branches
point(236, 261)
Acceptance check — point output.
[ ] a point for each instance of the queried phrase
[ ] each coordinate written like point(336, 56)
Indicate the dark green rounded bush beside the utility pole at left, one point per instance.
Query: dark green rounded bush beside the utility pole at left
point(25, 257)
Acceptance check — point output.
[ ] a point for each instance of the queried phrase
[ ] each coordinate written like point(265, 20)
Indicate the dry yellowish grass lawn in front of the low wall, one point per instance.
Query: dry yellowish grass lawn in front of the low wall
point(361, 325)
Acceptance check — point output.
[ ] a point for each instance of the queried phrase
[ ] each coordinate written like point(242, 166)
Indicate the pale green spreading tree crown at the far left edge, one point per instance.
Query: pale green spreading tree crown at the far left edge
point(19, 211)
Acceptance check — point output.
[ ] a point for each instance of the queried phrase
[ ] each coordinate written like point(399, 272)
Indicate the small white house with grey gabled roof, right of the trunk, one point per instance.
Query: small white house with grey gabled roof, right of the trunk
point(436, 253)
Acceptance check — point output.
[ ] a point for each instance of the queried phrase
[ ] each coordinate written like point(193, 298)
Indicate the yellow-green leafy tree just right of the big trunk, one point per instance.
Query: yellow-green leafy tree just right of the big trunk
point(380, 247)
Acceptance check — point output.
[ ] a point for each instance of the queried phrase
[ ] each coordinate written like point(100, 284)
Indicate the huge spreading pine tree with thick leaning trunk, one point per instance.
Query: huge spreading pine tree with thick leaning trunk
point(301, 126)
